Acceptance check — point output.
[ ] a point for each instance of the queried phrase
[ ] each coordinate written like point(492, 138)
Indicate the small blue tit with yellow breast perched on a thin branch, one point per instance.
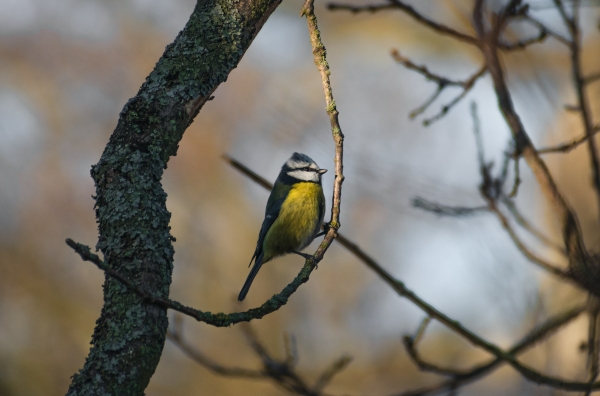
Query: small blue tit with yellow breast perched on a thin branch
point(293, 216)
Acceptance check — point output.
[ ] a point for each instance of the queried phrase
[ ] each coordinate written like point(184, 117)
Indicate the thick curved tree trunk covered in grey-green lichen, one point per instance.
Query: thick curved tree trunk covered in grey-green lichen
point(133, 220)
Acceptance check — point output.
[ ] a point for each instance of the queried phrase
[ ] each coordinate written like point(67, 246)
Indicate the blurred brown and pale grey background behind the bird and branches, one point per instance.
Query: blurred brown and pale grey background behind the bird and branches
point(67, 67)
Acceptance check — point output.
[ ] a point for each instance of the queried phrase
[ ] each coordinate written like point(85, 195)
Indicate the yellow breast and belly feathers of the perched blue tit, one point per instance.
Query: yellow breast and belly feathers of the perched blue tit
point(298, 222)
